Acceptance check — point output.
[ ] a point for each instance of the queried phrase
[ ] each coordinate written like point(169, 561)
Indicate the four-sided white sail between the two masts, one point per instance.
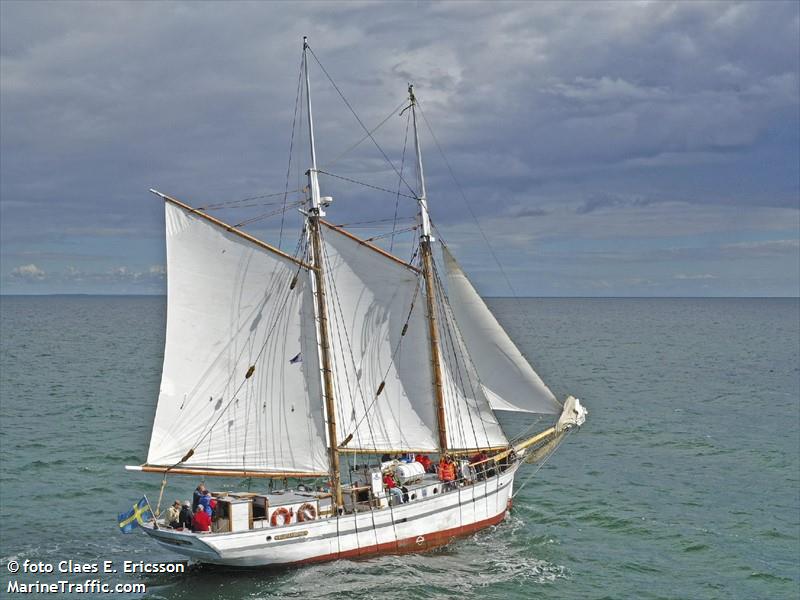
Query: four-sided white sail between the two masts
point(369, 297)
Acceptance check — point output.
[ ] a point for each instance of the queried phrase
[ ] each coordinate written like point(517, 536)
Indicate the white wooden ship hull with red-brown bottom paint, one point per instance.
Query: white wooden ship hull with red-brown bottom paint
point(412, 527)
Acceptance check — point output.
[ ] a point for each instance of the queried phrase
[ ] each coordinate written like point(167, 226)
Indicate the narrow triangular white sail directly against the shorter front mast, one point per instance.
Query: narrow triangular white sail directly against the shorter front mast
point(471, 423)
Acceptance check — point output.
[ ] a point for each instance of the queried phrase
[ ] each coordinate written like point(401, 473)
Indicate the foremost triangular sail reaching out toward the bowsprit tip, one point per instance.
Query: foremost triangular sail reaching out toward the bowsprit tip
point(509, 380)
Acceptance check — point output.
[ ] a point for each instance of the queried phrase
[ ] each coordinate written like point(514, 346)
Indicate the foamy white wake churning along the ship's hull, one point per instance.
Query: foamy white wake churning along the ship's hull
point(501, 558)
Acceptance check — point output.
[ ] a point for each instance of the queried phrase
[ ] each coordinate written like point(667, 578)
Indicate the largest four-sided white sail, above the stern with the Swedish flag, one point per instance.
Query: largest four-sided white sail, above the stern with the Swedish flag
point(230, 306)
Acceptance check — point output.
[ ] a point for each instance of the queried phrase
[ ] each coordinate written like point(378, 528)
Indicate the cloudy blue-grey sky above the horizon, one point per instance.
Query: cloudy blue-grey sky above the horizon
point(604, 149)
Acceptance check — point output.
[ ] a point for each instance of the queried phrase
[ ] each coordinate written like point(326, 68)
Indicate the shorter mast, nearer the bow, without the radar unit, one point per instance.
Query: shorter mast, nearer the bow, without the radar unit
point(426, 254)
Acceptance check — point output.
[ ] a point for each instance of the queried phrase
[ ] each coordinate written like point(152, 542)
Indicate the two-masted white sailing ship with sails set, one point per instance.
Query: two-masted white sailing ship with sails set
point(318, 370)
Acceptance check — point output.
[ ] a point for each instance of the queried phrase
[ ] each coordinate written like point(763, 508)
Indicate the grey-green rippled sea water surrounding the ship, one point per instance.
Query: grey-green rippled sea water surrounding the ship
point(684, 482)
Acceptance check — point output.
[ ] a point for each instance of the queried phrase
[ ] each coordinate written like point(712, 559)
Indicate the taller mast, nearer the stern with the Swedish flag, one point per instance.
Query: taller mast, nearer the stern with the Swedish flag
point(318, 283)
